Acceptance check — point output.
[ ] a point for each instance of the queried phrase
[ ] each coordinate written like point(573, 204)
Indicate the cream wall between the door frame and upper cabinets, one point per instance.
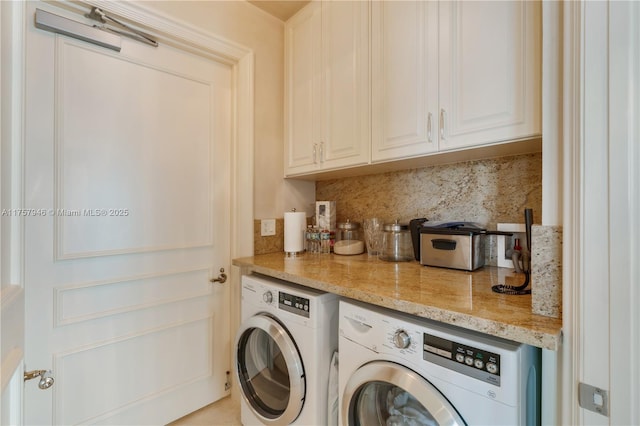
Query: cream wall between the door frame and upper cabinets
point(245, 24)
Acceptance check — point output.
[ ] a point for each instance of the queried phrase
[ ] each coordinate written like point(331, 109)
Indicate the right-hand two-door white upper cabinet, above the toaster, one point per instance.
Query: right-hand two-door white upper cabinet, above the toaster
point(449, 75)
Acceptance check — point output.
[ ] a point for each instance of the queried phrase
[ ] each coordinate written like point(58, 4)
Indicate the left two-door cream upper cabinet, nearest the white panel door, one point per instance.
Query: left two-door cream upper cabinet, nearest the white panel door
point(327, 98)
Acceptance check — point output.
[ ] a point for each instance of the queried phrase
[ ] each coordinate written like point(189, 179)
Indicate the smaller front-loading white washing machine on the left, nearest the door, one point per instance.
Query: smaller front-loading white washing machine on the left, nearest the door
point(283, 352)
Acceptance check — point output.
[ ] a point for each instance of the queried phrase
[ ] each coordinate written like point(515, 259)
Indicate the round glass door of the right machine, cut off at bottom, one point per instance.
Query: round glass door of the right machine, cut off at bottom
point(383, 393)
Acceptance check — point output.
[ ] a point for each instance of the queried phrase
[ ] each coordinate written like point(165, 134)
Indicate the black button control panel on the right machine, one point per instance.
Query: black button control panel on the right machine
point(474, 362)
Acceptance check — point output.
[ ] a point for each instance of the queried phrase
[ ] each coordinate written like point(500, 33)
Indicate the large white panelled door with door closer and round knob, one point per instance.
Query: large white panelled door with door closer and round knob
point(127, 165)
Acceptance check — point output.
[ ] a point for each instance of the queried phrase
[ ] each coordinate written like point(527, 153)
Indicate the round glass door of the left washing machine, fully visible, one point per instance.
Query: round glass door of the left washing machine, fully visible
point(269, 370)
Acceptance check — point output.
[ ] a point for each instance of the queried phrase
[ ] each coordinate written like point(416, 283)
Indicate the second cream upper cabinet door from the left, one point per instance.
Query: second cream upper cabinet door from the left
point(346, 129)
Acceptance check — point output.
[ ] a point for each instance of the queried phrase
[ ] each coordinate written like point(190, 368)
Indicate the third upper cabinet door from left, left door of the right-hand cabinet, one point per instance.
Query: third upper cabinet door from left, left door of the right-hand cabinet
point(404, 79)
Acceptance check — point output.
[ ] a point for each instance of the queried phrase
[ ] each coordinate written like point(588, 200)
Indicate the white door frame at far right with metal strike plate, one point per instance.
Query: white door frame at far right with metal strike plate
point(600, 342)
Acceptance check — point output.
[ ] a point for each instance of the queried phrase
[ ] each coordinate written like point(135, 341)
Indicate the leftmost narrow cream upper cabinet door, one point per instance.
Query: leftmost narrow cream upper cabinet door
point(303, 77)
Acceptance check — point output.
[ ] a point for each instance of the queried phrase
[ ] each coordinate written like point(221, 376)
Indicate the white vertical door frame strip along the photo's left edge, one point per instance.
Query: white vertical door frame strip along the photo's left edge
point(11, 286)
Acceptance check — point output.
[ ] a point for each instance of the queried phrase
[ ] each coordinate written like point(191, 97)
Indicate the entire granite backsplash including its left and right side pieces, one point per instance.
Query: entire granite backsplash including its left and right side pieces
point(487, 191)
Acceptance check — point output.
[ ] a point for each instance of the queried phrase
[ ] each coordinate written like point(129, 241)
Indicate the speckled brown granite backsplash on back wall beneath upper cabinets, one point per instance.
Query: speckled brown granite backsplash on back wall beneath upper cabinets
point(483, 191)
